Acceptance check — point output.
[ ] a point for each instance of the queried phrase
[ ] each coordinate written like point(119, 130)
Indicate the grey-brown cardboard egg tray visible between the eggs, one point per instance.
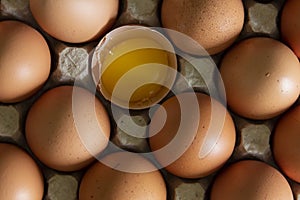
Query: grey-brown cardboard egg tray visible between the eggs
point(70, 61)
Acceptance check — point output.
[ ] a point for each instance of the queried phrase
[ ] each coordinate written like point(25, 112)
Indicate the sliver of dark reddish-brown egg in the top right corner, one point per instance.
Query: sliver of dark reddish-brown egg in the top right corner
point(290, 25)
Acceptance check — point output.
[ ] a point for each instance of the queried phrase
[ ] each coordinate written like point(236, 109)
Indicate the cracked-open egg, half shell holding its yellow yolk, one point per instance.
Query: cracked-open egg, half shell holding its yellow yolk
point(136, 67)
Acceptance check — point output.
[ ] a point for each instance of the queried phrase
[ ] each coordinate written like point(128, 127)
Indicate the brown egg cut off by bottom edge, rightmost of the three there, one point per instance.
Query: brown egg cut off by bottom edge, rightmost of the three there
point(251, 180)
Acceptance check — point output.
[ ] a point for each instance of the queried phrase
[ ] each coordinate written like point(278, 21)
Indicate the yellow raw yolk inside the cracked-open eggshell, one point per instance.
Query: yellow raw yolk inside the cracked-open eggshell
point(138, 70)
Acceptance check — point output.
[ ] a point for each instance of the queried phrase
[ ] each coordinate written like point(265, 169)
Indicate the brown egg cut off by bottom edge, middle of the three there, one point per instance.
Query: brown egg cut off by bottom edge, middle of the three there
point(103, 182)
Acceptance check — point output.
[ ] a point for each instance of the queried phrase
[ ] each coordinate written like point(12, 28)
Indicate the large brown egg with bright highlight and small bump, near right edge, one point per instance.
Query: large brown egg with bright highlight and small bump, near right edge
point(261, 78)
